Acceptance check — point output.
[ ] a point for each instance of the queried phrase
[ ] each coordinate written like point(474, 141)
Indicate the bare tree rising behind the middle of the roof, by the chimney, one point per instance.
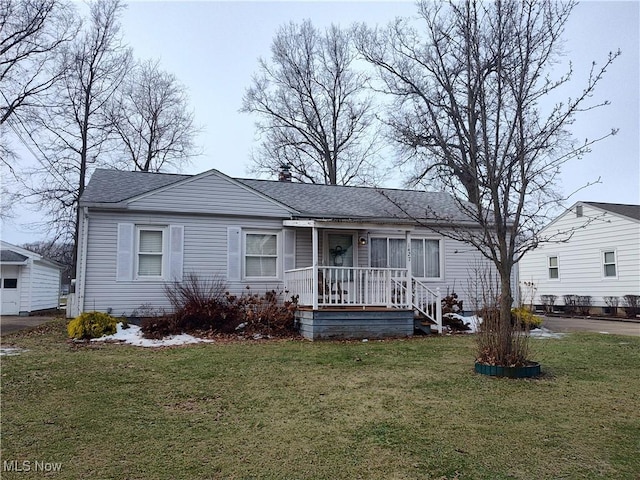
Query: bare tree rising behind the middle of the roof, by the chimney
point(314, 113)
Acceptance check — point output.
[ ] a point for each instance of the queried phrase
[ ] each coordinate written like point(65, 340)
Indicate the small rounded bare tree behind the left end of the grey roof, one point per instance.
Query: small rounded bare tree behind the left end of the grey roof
point(150, 116)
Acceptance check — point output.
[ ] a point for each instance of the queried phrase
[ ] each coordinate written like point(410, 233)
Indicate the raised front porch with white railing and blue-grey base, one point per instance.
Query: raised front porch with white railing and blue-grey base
point(361, 302)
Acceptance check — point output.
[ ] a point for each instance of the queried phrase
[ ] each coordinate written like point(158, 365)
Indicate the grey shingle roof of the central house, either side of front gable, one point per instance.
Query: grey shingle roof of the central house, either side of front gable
point(311, 200)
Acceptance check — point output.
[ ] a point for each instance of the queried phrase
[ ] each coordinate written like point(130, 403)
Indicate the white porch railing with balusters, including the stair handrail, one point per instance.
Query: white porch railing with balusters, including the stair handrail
point(363, 286)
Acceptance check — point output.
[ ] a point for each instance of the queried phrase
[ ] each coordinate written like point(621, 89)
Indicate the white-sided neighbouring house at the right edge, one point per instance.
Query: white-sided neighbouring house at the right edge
point(596, 259)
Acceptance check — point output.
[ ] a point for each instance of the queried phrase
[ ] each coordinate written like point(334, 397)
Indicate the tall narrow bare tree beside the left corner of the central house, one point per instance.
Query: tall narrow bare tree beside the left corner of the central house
point(72, 132)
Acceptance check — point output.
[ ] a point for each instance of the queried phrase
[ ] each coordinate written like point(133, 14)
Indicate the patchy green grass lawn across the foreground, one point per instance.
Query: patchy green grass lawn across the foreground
point(398, 409)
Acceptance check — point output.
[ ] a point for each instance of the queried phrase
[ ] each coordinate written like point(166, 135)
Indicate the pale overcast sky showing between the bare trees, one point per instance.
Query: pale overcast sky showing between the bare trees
point(212, 47)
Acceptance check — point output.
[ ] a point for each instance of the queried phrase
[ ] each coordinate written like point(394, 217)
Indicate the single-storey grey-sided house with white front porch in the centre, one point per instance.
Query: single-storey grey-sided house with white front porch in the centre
point(361, 260)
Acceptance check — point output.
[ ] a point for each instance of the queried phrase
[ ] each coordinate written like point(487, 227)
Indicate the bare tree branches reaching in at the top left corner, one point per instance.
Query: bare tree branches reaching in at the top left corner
point(32, 32)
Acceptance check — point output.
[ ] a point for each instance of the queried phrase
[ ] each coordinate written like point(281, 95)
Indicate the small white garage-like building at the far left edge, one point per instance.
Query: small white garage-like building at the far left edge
point(28, 282)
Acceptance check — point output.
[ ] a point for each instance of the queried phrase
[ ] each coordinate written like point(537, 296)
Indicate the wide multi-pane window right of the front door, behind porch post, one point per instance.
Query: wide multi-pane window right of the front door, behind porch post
point(392, 253)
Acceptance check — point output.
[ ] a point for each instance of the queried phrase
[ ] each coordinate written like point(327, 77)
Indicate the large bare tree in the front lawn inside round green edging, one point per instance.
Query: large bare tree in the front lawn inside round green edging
point(468, 106)
